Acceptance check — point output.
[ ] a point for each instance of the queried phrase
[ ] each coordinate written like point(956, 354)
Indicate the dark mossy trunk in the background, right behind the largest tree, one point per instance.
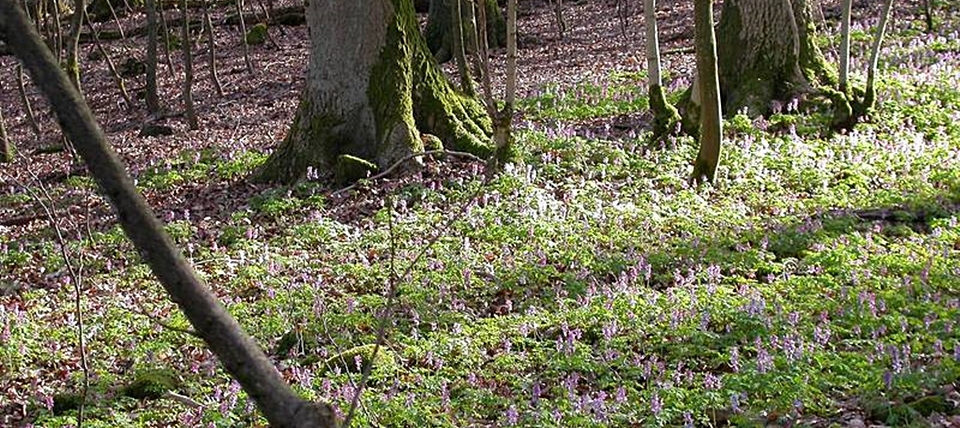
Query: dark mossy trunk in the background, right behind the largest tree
point(441, 30)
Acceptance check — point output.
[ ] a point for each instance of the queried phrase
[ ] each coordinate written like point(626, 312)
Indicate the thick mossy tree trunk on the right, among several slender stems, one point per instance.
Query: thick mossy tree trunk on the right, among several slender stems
point(767, 54)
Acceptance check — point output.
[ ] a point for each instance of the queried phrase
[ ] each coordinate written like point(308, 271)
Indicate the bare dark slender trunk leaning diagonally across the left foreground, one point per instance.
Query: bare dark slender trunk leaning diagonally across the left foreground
point(238, 352)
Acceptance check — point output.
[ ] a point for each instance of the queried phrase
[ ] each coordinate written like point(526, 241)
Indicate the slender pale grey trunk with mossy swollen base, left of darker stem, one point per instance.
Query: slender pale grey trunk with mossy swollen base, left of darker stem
point(665, 116)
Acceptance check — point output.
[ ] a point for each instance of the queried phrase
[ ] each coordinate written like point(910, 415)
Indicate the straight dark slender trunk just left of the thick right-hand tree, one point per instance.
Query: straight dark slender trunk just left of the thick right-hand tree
point(705, 167)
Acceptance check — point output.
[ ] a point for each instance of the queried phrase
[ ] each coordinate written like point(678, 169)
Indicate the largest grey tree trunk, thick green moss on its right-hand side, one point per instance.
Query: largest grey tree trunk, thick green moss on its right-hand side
point(372, 86)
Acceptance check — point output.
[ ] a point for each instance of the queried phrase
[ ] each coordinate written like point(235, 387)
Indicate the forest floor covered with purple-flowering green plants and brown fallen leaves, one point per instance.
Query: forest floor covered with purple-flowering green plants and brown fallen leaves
point(818, 283)
